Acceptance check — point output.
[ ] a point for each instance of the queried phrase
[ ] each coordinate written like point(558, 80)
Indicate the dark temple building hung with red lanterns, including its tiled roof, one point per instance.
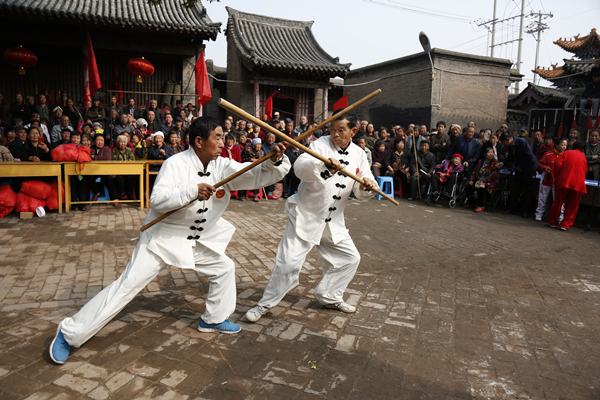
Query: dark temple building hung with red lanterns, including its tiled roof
point(168, 35)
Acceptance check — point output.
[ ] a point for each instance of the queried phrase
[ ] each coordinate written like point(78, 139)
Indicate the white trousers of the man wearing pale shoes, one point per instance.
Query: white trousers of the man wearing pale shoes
point(340, 262)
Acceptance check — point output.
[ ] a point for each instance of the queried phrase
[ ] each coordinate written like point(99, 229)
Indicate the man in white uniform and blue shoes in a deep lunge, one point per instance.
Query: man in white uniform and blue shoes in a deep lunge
point(195, 237)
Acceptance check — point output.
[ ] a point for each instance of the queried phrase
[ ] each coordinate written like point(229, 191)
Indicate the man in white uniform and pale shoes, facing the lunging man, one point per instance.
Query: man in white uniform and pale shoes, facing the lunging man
point(316, 218)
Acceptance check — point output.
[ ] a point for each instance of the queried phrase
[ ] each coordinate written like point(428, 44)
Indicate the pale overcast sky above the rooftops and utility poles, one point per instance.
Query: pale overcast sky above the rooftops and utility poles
point(365, 32)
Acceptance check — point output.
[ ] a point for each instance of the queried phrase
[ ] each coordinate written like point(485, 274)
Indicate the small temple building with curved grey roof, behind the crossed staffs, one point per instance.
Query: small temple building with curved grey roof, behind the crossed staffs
point(267, 55)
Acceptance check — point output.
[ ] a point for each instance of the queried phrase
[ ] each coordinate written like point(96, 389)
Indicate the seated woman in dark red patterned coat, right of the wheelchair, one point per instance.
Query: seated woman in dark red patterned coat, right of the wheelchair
point(484, 179)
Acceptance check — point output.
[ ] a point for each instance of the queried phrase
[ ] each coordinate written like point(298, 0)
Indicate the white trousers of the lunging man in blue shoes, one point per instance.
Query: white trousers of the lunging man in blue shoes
point(142, 268)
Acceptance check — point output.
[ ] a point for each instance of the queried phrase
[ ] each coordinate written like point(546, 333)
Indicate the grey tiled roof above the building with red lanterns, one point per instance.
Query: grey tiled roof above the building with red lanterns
point(170, 15)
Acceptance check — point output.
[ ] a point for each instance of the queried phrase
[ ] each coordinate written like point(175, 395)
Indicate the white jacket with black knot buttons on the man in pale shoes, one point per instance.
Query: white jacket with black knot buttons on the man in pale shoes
point(321, 199)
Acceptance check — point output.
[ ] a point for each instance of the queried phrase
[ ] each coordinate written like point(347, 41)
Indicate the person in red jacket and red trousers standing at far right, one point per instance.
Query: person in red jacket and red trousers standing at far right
point(569, 169)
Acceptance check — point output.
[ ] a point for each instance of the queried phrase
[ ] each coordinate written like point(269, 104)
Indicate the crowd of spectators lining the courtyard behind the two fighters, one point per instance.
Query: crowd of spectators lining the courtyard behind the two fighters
point(424, 161)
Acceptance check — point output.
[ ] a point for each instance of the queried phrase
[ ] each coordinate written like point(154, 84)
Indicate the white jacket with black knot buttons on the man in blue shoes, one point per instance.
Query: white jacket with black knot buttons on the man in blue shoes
point(174, 238)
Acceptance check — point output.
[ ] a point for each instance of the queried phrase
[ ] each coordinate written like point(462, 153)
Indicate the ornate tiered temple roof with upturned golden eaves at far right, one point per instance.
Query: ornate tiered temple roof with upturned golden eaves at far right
point(574, 73)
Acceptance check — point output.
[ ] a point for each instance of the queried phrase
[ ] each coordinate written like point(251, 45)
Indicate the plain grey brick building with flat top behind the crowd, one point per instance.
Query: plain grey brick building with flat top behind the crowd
point(464, 88)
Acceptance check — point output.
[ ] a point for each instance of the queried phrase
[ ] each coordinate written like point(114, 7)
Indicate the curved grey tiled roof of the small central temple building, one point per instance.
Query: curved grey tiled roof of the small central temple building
point(280, 44)
